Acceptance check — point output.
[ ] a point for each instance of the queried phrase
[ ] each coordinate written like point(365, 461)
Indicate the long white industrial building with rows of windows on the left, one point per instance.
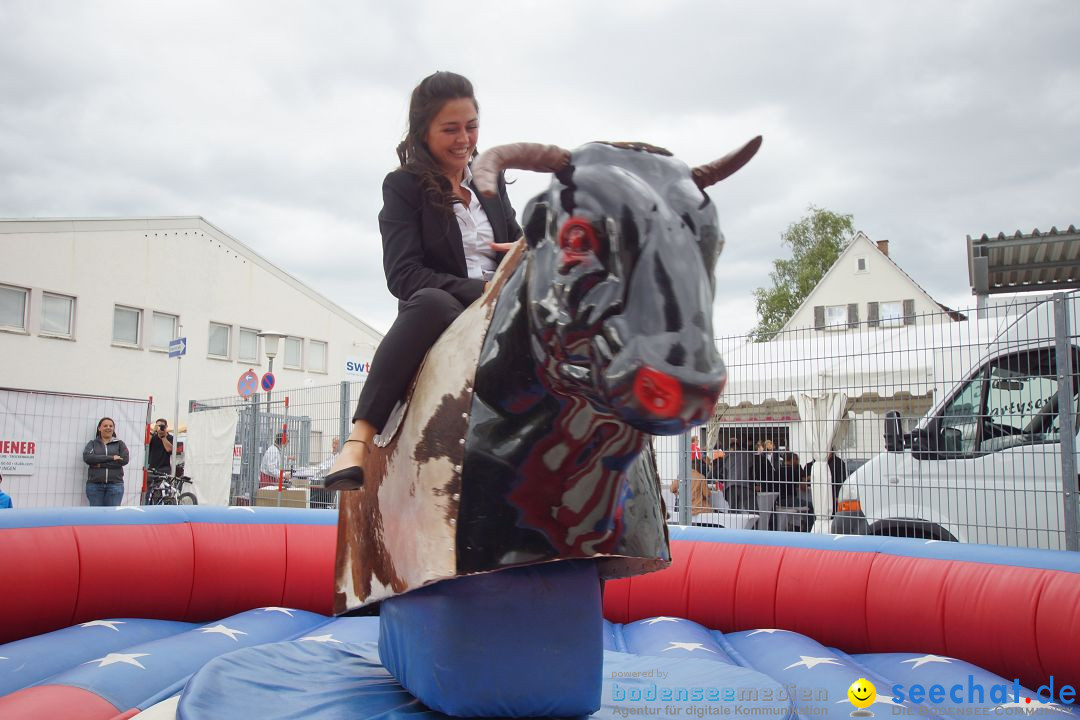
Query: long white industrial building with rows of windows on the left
point(90, 307)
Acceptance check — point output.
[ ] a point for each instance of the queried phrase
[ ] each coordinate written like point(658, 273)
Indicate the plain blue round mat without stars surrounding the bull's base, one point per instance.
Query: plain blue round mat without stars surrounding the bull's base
point(325, 682)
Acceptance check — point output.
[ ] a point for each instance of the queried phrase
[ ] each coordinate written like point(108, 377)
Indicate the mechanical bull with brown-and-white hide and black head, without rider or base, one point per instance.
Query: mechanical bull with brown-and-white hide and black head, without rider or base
point(521, 441)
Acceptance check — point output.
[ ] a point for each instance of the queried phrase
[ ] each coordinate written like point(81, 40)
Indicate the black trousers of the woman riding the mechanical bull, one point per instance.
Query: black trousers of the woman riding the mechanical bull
point(421, 321)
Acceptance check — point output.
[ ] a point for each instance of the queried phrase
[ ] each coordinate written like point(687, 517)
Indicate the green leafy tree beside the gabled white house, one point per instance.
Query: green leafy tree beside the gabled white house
point(816, 241)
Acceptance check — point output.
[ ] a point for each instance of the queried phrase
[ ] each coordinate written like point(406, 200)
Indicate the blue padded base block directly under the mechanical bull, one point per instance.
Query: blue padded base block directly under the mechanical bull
point(520, 643)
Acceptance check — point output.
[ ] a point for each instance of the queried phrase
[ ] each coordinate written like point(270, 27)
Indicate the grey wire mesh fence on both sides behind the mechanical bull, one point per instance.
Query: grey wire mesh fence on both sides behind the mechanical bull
point(946, 426)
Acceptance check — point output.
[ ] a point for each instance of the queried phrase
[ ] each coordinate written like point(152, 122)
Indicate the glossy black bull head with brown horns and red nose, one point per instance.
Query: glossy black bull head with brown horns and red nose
point(624, 247)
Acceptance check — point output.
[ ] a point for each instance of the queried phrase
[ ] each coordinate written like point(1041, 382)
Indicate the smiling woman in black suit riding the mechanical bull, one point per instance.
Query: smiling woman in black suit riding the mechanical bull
point(441, 244)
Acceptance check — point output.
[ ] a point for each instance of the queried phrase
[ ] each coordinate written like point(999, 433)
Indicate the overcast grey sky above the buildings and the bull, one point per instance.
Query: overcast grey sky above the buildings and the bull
point(277, 121)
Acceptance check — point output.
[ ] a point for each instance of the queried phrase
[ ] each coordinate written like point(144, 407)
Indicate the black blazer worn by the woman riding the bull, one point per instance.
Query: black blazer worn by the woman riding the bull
point(422, 244)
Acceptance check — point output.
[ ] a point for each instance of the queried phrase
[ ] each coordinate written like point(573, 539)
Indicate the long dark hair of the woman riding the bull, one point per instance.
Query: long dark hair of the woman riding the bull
point(428, 99)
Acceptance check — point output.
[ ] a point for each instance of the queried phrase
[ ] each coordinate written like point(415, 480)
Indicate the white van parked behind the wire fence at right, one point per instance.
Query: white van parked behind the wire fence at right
point(984, 466)
